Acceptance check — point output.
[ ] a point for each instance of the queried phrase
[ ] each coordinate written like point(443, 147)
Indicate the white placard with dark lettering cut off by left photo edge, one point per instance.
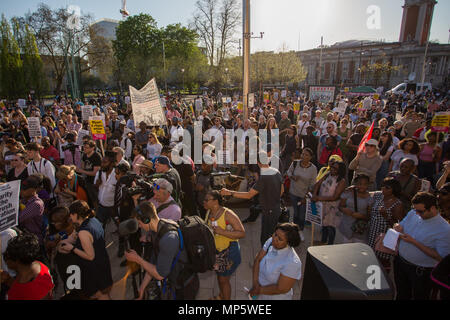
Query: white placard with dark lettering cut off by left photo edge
point(9, 205)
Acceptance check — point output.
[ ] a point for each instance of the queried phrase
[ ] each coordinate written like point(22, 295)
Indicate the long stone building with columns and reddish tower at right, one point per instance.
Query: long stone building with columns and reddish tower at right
point(342, 63)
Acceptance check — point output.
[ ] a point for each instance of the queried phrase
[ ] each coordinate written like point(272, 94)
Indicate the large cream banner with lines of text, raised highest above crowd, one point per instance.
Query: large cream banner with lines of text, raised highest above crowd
point(147, 106)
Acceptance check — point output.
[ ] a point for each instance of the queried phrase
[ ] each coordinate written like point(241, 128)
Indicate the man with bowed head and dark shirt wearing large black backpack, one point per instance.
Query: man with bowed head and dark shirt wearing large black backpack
point(179, 283)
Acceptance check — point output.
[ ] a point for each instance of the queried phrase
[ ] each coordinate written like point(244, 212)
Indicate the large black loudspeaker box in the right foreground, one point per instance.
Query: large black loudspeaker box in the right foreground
point(344, 272)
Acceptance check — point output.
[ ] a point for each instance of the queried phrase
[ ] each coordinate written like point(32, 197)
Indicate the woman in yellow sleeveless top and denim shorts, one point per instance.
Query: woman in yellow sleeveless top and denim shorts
point(227, 229)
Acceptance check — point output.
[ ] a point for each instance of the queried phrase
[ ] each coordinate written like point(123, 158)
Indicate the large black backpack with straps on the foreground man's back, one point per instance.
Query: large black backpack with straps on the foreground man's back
point(197, 238)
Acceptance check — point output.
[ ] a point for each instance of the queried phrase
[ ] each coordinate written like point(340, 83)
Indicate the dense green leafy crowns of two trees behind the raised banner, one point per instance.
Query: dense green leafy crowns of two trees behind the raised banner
point(139, 53)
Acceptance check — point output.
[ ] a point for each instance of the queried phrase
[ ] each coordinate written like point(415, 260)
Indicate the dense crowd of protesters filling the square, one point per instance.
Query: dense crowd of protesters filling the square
point(73, 190)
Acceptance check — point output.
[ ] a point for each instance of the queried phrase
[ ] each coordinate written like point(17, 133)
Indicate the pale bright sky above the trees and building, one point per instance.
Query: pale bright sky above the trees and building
point(283, 21)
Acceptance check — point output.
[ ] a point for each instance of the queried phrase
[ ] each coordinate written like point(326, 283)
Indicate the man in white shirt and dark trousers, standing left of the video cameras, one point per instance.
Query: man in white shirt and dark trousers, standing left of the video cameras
point(105, 181)
